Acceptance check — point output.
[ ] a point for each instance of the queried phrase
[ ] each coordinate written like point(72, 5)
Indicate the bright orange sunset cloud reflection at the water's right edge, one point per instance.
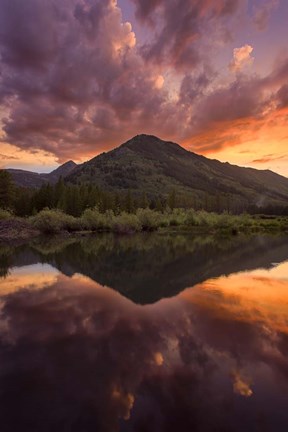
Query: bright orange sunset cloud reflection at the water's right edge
point(259, 296)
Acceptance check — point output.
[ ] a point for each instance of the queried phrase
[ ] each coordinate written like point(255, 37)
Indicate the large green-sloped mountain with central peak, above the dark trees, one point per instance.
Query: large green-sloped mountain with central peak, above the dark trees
point(146, 163)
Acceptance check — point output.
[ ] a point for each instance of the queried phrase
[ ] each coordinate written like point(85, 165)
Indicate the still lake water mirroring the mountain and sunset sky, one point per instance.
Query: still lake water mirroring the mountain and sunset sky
point(144, 333)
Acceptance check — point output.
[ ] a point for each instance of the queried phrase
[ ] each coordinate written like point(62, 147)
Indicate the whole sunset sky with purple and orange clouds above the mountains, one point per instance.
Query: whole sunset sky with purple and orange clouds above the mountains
point(80, 77)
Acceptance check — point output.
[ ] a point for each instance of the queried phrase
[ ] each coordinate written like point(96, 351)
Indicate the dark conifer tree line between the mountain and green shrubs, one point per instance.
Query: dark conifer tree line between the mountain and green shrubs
point(74, 199)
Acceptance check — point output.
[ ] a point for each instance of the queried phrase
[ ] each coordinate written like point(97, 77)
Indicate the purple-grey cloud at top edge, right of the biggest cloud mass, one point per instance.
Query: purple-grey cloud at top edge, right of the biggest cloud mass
point(178, 32)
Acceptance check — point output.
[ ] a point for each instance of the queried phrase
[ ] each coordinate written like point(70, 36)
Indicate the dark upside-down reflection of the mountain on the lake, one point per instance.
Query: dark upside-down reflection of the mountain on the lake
point(146, 268)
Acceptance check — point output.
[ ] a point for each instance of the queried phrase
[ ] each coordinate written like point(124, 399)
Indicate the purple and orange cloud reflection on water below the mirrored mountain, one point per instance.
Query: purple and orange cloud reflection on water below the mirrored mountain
point(88, 357)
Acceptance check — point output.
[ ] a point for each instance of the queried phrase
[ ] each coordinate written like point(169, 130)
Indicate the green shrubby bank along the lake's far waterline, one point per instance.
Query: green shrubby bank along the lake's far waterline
point(54, 221)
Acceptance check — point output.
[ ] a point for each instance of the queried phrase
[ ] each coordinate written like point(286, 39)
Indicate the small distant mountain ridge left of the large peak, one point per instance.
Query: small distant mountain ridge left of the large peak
point(34, 180)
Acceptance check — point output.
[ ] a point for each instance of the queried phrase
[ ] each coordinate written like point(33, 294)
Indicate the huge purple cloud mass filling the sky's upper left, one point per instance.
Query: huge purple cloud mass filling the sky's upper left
point(71, 79)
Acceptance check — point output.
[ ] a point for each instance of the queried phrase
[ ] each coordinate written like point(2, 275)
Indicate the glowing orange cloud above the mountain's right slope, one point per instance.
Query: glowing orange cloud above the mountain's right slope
point(229, 141)
